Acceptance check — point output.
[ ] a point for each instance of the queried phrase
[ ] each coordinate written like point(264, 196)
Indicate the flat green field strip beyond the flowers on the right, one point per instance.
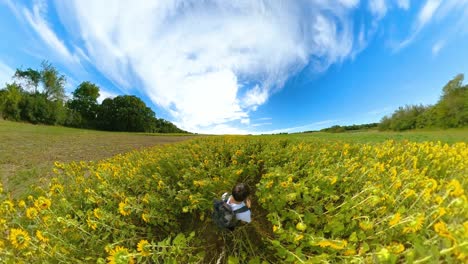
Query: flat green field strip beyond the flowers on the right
point(448, 136)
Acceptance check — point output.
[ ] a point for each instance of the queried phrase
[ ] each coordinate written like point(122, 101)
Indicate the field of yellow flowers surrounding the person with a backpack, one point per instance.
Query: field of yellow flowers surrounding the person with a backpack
point(314, 201)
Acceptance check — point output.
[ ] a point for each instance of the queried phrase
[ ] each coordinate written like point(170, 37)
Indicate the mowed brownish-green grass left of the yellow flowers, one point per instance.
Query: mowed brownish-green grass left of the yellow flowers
point(28, 152)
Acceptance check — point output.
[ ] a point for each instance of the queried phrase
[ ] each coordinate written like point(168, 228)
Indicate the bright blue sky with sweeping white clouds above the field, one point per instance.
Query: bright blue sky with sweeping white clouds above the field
point(246, 66)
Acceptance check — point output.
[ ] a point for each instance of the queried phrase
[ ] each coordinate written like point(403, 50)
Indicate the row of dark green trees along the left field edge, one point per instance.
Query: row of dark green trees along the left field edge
point(38, 97)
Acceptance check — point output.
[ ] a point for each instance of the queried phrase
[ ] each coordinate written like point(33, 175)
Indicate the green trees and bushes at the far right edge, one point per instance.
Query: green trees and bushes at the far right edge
point(450, 111)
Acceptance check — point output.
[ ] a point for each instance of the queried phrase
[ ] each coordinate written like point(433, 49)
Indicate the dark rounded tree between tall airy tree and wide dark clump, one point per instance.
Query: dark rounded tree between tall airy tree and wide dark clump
point(85, 103)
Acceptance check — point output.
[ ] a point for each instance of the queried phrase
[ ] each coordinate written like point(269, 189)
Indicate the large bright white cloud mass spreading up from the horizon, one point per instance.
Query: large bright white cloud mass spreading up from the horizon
point(193, 58)
